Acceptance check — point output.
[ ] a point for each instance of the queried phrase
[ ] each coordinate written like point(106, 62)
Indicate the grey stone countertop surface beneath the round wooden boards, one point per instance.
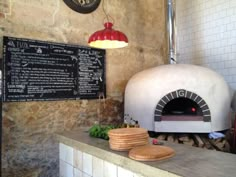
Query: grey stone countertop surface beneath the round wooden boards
point(188, 161)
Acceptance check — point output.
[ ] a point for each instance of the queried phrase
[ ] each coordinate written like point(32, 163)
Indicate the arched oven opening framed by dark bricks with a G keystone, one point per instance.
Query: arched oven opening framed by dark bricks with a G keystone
point(182, 105)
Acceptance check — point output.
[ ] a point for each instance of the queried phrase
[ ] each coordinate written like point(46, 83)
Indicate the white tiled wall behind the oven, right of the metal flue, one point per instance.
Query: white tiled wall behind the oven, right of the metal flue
point(206, 35)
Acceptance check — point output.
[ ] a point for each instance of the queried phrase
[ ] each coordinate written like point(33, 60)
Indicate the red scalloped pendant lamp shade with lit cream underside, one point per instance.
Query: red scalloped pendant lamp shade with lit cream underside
point(108, 38)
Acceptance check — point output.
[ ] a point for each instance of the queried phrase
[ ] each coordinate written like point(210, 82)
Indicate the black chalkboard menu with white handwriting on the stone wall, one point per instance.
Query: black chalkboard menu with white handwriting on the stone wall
point(36, 70)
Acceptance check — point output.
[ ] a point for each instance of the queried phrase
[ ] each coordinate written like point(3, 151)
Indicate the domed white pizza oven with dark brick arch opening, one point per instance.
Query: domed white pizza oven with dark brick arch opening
point(179, 98)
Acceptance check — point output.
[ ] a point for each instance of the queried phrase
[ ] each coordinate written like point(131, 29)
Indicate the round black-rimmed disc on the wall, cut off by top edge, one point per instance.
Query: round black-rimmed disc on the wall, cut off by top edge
point(83, 6)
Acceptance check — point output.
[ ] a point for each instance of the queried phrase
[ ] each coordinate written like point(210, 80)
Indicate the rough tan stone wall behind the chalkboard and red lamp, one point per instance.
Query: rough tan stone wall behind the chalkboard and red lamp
point(29, 127)
